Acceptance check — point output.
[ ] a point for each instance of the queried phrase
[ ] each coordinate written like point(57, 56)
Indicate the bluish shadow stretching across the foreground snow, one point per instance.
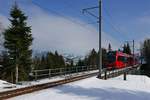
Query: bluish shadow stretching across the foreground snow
point(105, 93)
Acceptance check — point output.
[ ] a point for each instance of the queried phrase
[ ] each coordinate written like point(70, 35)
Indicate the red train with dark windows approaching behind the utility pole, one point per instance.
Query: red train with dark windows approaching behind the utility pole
point(117, 60)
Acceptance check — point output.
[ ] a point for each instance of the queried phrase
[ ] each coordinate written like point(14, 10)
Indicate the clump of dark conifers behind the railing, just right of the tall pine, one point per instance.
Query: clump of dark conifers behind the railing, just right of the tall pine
point(48, 60)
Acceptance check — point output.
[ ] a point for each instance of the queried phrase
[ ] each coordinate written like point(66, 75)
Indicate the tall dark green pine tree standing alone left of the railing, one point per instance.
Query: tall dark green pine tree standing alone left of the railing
point(17, 42)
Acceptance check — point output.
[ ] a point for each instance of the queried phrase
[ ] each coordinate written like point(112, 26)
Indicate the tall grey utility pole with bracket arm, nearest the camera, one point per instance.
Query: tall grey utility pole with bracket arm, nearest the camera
point(99, 18)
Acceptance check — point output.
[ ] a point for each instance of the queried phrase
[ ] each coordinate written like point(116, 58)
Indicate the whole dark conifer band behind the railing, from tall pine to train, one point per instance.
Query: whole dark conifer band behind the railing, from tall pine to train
point(51, 60)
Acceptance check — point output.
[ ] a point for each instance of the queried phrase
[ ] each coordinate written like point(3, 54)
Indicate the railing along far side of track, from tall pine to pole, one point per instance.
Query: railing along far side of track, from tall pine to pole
point(49, 73)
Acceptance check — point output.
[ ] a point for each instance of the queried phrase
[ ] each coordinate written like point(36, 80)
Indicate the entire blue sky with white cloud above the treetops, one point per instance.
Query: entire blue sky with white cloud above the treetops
point(122, 20)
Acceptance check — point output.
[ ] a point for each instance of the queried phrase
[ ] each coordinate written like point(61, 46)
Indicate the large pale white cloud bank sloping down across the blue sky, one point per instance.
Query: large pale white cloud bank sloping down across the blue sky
point(52, 32)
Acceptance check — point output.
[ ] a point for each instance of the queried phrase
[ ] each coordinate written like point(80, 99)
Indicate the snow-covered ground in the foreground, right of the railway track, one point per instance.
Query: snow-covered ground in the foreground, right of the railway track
point(135, 88)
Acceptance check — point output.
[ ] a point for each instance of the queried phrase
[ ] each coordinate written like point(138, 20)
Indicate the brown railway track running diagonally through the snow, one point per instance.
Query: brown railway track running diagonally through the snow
point(29, 89)
